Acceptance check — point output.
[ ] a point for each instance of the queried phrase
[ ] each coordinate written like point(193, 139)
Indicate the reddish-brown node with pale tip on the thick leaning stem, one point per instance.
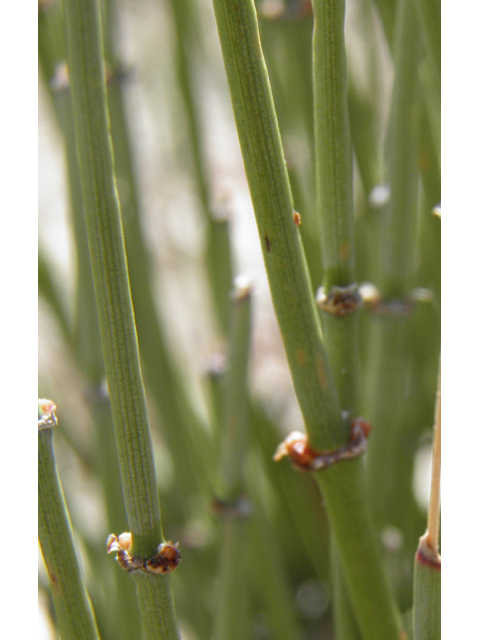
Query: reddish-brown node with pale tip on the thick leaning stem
point(304, 458)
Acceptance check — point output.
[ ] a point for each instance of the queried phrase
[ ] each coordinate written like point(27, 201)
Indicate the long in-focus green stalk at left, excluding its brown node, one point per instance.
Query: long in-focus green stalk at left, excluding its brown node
point(115, 311)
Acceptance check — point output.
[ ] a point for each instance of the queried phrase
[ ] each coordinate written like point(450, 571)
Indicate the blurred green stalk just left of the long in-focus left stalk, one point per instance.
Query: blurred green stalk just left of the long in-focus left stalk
point(87, 348)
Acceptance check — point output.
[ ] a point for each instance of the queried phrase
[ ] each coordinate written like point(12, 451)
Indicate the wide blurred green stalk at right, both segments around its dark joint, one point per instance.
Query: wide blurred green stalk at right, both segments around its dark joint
point(388, 364)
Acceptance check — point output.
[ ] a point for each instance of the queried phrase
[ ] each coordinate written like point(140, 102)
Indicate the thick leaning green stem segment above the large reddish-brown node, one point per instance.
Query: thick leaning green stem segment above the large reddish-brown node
point(281, 244)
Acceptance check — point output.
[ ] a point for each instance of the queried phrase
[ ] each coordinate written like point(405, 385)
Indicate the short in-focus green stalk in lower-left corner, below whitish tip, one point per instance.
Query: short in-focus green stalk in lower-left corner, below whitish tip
point(75, 617)
